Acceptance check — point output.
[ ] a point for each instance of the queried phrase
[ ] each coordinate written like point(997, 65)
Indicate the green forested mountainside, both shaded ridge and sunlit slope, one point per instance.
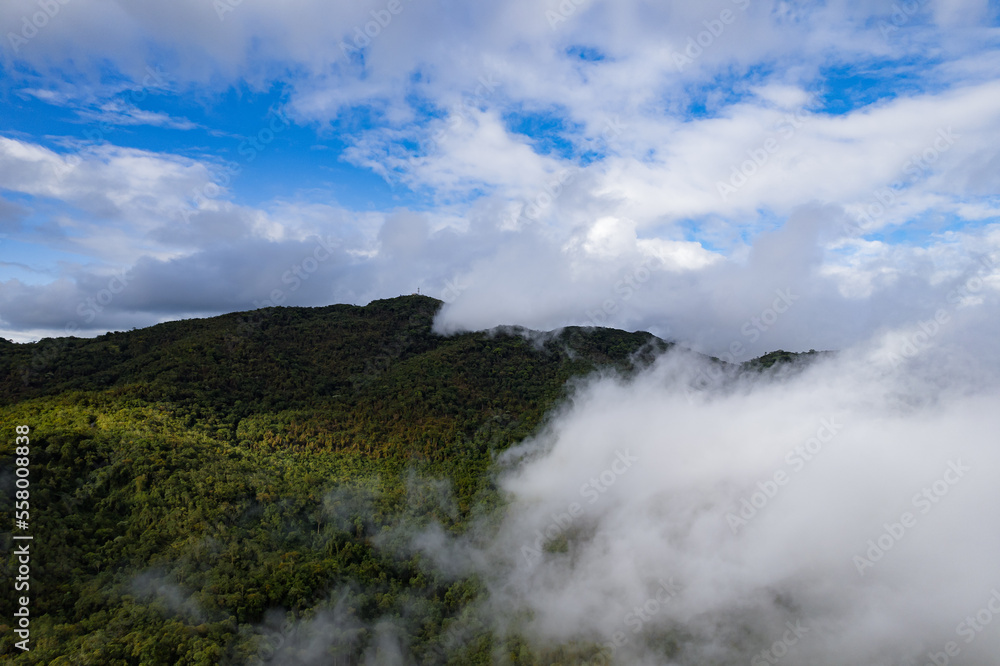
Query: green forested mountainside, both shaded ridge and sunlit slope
point(231, 490)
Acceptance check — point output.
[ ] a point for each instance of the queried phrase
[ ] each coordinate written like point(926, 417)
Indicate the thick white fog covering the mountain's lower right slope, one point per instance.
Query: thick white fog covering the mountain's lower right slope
point(840, 511)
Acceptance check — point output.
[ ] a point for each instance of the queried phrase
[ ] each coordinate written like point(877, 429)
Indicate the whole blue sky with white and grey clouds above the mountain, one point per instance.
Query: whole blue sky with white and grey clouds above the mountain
point(737, 175)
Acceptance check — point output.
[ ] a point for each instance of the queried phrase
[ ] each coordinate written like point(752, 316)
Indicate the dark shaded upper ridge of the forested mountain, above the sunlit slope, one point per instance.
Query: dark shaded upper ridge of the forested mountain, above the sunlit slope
point(295, 356)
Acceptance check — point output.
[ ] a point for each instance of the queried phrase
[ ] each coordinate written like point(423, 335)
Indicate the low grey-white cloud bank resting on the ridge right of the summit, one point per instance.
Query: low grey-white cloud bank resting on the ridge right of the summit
point(793, 288)
